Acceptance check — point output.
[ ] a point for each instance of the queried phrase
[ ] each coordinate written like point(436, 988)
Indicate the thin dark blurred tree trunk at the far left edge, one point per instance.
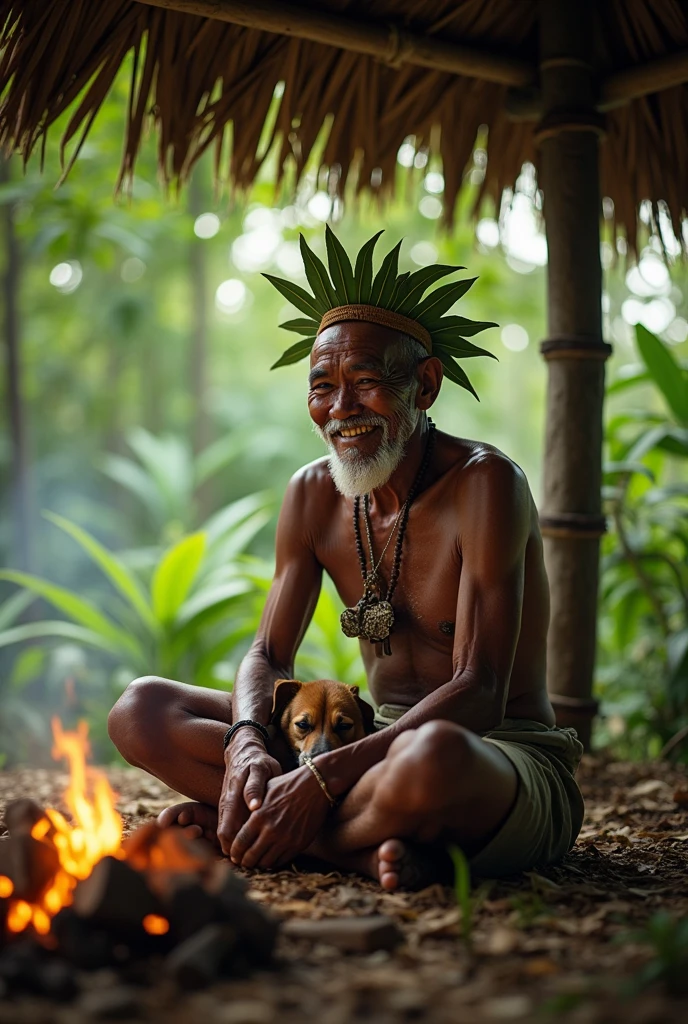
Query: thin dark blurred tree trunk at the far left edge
point(19, 472)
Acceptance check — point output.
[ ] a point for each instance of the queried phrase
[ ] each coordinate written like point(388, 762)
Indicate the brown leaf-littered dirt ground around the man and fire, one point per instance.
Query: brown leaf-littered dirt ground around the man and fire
point(568, 944)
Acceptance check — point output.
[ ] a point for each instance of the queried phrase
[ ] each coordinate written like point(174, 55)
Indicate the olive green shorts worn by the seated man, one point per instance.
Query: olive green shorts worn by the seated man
point(547, 816)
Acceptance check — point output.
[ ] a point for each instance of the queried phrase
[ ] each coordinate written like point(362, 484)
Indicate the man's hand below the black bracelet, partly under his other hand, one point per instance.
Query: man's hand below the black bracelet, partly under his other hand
point(248, 771)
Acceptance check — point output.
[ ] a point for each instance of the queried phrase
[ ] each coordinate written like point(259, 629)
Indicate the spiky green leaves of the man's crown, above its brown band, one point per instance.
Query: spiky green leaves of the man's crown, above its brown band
point(400, 293)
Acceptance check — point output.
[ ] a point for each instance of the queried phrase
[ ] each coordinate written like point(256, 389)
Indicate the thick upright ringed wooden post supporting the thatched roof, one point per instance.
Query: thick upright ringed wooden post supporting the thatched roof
point(572, 520)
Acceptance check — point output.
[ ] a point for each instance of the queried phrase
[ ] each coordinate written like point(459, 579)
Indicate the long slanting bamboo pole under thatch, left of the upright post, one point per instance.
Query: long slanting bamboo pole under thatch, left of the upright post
point(383, 41)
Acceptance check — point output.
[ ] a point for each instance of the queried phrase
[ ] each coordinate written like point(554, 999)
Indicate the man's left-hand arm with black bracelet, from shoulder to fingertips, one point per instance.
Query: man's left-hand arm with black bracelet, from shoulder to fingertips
point(288, 611)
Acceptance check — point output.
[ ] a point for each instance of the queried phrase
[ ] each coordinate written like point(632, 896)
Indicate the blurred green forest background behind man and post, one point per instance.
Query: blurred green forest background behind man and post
point(146, 445)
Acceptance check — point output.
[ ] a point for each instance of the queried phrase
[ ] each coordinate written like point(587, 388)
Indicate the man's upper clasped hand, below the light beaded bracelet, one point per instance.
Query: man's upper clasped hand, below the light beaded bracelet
point(292, 815)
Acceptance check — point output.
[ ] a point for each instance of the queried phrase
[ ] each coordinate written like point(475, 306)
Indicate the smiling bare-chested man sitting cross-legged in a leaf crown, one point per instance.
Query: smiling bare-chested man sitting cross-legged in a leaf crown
point(434, 545)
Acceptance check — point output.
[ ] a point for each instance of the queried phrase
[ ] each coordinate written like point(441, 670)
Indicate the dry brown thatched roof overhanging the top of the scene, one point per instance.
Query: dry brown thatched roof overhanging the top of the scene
point(398, 77)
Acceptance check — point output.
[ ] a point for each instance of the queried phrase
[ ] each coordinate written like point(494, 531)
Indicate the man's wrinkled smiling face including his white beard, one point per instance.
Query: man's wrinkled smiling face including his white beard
point(362, 401)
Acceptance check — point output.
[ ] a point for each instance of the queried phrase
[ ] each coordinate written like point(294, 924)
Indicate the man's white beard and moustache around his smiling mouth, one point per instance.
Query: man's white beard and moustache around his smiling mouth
point(358, 475)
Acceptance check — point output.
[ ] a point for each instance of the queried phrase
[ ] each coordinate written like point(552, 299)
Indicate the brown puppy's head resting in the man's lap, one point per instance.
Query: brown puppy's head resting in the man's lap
point(321, 716)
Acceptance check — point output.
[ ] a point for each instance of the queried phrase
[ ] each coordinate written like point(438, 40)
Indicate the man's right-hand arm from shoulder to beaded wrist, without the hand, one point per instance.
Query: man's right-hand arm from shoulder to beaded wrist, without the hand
point(494, 539)
